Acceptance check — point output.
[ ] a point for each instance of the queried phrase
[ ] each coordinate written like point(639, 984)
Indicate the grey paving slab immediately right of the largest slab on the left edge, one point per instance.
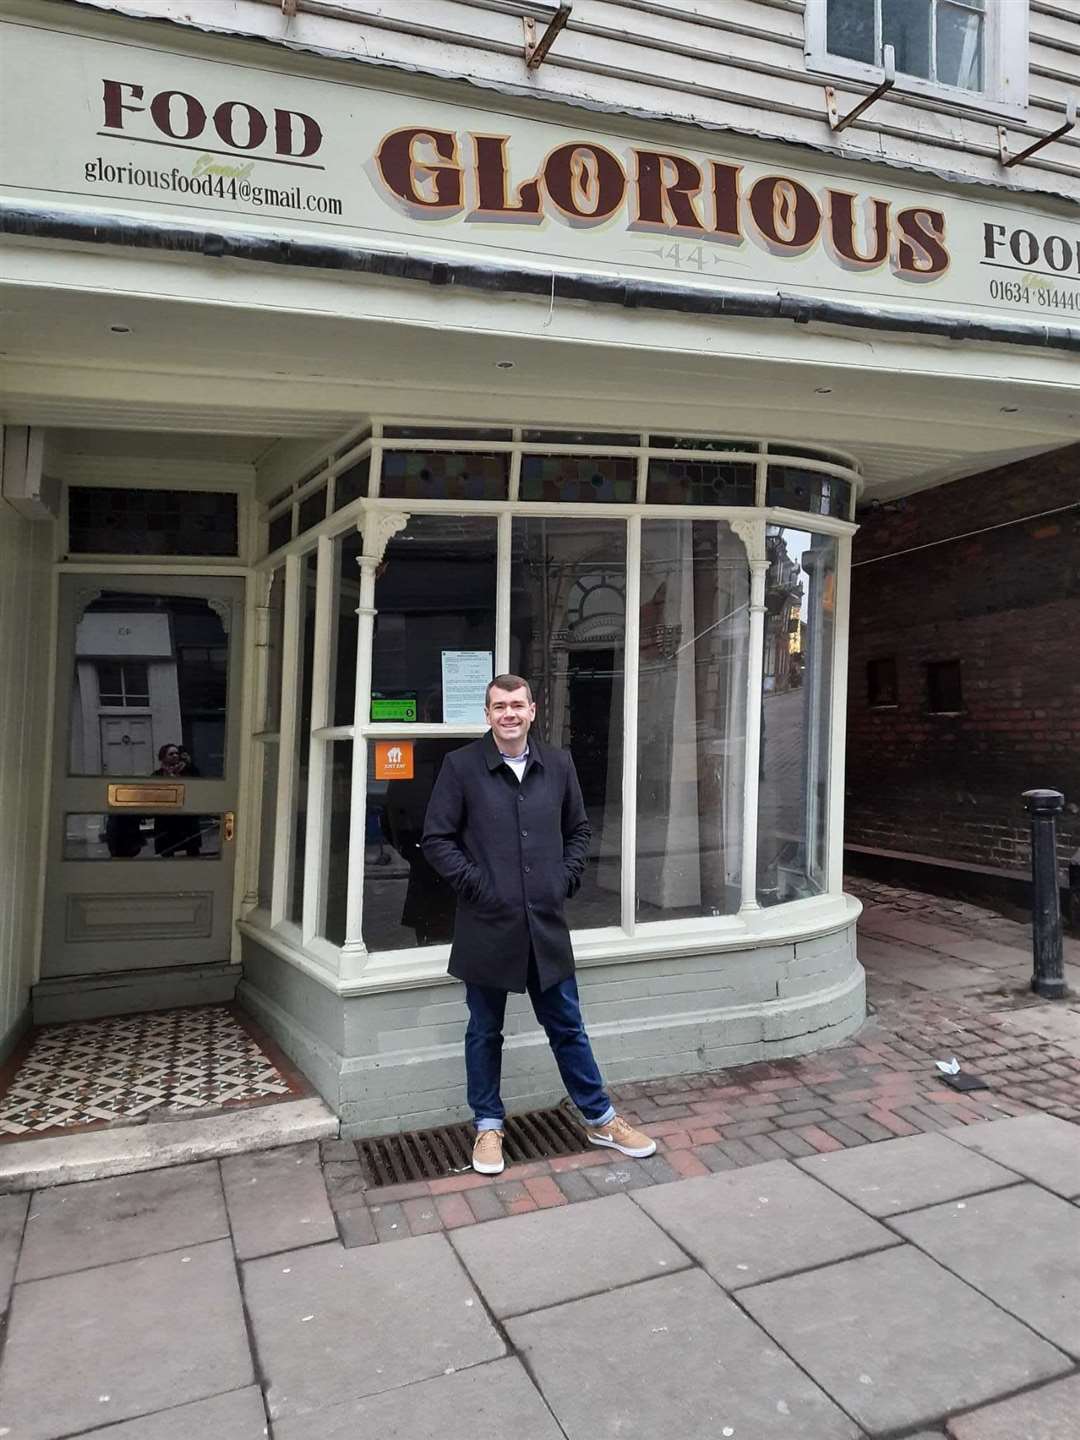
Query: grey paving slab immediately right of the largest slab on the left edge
point(333, 1326)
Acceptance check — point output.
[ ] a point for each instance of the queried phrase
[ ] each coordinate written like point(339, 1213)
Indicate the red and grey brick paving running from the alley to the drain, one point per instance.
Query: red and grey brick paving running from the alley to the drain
point(879, 1086)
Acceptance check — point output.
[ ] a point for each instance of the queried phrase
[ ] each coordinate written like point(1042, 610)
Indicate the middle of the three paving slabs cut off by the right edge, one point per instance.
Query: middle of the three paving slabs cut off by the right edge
point(1020, 1248)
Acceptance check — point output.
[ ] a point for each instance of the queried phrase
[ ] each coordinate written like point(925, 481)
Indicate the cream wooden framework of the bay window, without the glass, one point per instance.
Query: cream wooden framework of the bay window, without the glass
point(352, 964)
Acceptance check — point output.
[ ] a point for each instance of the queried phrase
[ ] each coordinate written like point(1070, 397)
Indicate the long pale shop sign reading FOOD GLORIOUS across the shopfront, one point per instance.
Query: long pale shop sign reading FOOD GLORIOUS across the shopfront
point(135, 129)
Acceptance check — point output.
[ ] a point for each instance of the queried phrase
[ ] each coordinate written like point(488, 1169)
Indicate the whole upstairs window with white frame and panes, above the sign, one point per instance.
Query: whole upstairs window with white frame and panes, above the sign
point(973, 53)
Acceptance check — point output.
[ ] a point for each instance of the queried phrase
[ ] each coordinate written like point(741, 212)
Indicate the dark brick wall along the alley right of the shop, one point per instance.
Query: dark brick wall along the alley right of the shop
point(1007, 606)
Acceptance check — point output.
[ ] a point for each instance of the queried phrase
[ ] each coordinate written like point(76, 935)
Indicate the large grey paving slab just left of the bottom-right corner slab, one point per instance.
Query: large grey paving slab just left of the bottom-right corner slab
point(898, 1341)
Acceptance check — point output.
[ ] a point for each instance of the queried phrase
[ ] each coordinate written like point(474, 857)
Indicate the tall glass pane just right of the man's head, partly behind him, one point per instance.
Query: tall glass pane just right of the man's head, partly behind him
point(568, 627)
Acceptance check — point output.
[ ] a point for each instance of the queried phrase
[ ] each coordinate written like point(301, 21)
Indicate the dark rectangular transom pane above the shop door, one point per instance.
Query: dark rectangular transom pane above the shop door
point(113, 521)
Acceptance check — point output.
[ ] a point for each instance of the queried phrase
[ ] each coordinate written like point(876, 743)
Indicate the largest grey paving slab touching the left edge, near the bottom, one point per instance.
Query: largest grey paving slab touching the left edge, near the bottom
point(125, 1340)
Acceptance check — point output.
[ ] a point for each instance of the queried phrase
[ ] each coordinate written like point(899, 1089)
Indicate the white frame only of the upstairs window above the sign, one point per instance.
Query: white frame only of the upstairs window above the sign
point(1006, 63)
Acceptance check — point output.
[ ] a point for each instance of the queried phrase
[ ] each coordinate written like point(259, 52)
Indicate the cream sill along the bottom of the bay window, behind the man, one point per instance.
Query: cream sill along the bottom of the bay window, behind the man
point(748, 931)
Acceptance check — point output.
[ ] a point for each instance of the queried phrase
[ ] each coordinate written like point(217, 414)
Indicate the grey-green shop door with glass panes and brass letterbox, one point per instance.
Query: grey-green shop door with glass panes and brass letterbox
point(149, 675)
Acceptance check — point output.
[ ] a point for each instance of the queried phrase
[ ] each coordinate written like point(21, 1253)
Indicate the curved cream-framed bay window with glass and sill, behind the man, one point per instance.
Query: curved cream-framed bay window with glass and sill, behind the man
point(675, 606)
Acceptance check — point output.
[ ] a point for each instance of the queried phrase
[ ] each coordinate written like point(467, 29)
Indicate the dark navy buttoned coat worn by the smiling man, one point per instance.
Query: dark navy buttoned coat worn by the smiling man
point(513, 853)
